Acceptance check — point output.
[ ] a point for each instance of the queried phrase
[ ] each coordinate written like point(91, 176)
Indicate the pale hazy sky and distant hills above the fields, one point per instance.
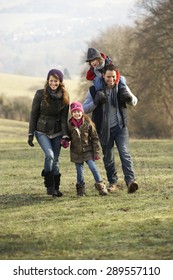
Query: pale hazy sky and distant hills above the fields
point(24, 22)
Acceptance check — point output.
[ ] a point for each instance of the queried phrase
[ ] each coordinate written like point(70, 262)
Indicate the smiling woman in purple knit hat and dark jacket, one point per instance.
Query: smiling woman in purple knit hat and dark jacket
point(48, 122)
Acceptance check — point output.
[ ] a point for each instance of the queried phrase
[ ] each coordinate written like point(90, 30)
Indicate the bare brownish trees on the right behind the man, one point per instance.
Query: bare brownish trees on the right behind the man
point(144, 55)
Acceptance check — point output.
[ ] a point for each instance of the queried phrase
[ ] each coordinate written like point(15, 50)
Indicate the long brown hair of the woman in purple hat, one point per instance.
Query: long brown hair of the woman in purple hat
point(61, 89)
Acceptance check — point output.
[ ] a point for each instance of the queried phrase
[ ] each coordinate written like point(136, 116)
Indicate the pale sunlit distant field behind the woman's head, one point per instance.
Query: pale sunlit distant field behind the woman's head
point(16, 85)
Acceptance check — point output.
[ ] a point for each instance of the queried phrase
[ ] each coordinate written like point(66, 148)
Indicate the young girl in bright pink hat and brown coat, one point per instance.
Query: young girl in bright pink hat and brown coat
point(84, 148)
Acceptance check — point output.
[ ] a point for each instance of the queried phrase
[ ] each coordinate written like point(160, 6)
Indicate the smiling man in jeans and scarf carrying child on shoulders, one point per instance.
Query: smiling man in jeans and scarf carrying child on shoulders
point(110, 117)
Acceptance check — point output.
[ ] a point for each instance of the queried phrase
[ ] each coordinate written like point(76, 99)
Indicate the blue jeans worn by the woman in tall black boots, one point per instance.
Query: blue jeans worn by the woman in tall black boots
point(51, 149)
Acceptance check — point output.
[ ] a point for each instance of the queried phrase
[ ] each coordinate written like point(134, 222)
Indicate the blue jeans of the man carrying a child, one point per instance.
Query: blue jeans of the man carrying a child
point(121, 139)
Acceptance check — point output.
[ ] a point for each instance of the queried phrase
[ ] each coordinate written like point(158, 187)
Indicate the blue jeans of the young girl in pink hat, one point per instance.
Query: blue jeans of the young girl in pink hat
point(92, 166)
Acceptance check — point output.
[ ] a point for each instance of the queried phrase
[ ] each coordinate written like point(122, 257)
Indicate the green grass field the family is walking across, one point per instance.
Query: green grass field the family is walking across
point(118, 226)
